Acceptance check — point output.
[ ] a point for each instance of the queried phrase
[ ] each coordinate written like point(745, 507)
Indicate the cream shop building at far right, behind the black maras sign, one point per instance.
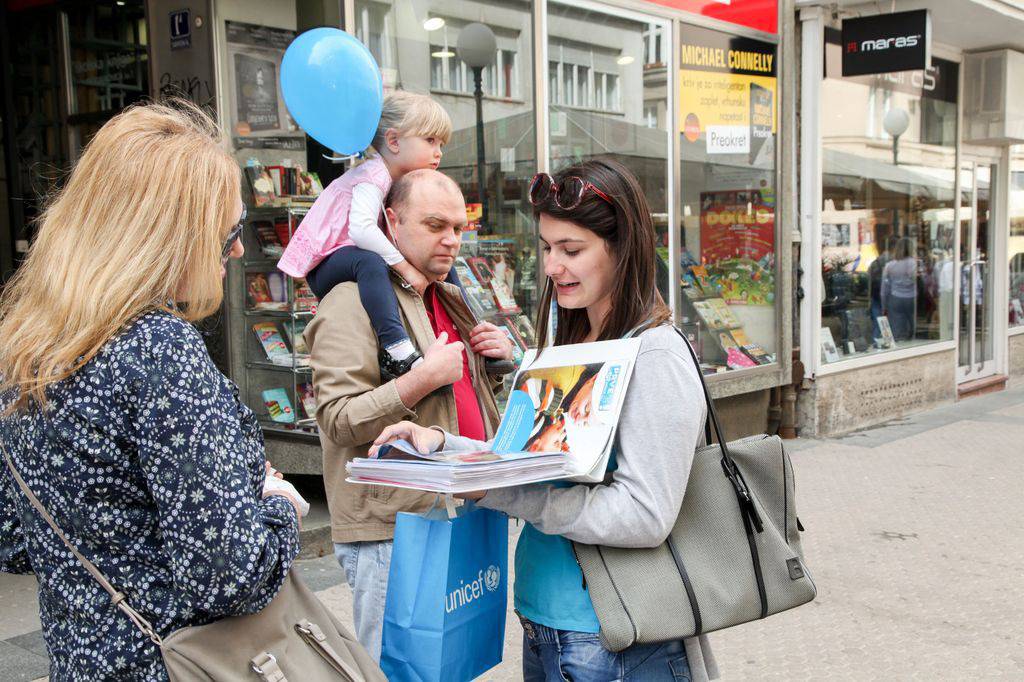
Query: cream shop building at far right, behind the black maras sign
point(910, 217)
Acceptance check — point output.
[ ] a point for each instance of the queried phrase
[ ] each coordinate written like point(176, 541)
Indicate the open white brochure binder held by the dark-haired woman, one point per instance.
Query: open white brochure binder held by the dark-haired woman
point(560, 422)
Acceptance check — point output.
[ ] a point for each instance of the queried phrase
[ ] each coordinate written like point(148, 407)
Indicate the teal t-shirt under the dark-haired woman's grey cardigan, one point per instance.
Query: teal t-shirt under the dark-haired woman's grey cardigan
point(549, 582)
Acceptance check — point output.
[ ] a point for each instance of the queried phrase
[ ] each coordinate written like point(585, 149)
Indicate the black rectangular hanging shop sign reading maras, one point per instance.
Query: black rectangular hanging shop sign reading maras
point(886, 44)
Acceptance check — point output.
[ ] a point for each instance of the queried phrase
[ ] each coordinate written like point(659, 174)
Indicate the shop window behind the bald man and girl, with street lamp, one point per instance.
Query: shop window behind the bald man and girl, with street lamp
point(417, 47)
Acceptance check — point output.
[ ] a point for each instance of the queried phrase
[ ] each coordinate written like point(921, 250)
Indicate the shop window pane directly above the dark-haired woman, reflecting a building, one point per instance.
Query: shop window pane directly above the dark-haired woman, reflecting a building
point(592, 55)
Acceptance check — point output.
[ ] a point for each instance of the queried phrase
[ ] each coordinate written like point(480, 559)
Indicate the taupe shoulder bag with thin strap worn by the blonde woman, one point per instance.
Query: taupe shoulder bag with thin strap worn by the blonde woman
point(295, 637)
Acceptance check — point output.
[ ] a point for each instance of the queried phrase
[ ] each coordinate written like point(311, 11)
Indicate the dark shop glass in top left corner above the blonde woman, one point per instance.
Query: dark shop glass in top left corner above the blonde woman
point(104, 48)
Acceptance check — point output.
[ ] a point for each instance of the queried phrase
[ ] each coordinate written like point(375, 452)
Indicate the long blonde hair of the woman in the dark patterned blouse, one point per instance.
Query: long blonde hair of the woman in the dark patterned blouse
point(139, 227)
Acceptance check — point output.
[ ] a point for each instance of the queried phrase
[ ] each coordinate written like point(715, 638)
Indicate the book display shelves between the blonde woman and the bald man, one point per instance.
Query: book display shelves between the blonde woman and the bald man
point(275, 312)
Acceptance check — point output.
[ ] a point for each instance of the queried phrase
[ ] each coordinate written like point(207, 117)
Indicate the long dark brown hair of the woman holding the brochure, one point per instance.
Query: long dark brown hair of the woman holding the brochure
point(628, 231)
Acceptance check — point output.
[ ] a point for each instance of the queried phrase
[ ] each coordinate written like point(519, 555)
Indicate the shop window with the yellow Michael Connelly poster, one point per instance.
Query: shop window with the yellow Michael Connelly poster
point(729, 115)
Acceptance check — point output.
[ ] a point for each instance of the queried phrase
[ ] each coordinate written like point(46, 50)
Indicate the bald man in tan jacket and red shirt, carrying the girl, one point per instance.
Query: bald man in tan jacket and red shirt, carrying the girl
point(428, 214)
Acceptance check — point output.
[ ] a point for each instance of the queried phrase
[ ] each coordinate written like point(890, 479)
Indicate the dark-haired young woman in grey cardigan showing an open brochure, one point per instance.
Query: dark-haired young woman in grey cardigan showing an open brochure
point(600, 257)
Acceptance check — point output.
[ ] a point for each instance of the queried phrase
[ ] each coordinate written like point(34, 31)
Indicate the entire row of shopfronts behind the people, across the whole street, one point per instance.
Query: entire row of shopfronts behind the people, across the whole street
point(775, 238)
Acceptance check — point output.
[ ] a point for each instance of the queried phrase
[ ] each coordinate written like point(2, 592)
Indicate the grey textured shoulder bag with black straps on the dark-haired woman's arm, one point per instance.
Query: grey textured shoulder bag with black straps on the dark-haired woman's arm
point(733, 557)
